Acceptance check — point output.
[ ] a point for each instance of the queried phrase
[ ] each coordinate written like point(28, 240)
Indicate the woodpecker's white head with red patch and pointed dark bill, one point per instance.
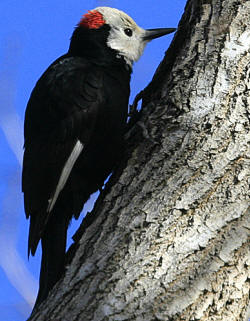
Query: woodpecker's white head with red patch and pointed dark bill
point(124, 35)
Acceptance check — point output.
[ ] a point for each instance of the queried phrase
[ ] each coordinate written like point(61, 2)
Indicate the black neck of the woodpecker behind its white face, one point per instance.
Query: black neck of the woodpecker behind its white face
point(92, 44)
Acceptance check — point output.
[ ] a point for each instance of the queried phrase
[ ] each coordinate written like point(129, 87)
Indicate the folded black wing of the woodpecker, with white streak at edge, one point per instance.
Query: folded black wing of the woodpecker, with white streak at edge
point(60, 114)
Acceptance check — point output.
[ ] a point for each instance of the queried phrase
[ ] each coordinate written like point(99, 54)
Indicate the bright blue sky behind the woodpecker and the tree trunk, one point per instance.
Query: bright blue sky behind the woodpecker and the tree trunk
point(32, 35)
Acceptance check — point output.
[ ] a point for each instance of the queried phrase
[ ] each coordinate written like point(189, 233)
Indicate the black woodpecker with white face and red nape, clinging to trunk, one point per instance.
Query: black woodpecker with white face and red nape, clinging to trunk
point(75, 121)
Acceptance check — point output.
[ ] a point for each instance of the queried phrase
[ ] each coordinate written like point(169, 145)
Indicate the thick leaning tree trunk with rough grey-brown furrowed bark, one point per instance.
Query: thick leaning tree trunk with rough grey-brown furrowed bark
point(168, 238)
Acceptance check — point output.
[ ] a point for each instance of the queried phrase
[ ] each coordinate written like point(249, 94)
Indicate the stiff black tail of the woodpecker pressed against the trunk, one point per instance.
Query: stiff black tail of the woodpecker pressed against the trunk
point(53, 255)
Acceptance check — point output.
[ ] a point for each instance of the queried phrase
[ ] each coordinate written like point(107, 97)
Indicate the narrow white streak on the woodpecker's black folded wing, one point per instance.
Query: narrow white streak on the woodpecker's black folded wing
point(65, 173)
